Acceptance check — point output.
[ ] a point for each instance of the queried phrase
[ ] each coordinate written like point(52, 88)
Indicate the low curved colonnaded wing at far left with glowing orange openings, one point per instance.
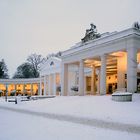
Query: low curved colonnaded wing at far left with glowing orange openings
point(20, 86)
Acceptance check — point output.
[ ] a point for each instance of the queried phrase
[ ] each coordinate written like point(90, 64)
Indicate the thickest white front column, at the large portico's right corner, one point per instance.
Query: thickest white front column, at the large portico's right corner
point(132, 69)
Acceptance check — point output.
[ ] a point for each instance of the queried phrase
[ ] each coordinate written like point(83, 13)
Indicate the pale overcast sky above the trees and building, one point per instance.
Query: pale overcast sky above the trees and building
point(49, 26)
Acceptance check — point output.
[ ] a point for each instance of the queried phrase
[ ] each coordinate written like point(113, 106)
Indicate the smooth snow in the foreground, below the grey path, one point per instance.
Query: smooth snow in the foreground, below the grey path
point(17, 126)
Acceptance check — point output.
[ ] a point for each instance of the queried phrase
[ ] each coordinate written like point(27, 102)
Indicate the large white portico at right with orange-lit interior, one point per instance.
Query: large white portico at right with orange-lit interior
point(112, 60)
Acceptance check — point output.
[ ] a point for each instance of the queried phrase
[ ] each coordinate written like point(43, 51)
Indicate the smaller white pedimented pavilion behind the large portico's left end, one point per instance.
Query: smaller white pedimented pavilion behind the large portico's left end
point(50, 76)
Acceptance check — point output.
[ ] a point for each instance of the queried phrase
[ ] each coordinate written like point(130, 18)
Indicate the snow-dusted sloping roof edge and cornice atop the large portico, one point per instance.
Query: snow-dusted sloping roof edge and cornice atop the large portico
point(105, 38)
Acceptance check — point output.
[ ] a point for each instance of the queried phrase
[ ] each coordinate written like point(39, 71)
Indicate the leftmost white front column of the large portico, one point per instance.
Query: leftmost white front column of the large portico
point(64, 79)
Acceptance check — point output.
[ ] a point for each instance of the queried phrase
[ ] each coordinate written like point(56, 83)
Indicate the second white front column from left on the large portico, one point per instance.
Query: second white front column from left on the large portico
point(81, 78)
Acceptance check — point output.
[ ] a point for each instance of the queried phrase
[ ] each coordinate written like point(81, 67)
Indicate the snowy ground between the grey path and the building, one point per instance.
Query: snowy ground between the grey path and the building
point(96, 107)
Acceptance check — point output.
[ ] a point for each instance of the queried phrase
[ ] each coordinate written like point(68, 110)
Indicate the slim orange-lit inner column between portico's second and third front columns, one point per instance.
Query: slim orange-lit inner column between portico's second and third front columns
point(93, 80)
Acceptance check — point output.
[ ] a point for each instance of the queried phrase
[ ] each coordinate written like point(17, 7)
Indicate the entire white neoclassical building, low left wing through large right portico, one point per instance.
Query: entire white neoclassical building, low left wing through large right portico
point(99, 64)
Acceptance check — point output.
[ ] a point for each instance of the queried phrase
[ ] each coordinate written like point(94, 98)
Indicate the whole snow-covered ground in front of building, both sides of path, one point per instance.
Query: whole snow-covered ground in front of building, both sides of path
point(24, 125)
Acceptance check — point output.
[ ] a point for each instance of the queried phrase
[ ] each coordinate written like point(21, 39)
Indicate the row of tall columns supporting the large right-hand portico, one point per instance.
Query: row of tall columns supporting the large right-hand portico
point(131, 72)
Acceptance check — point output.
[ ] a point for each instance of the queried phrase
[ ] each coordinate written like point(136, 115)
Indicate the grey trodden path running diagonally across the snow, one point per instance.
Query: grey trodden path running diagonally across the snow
point(85, 121)
